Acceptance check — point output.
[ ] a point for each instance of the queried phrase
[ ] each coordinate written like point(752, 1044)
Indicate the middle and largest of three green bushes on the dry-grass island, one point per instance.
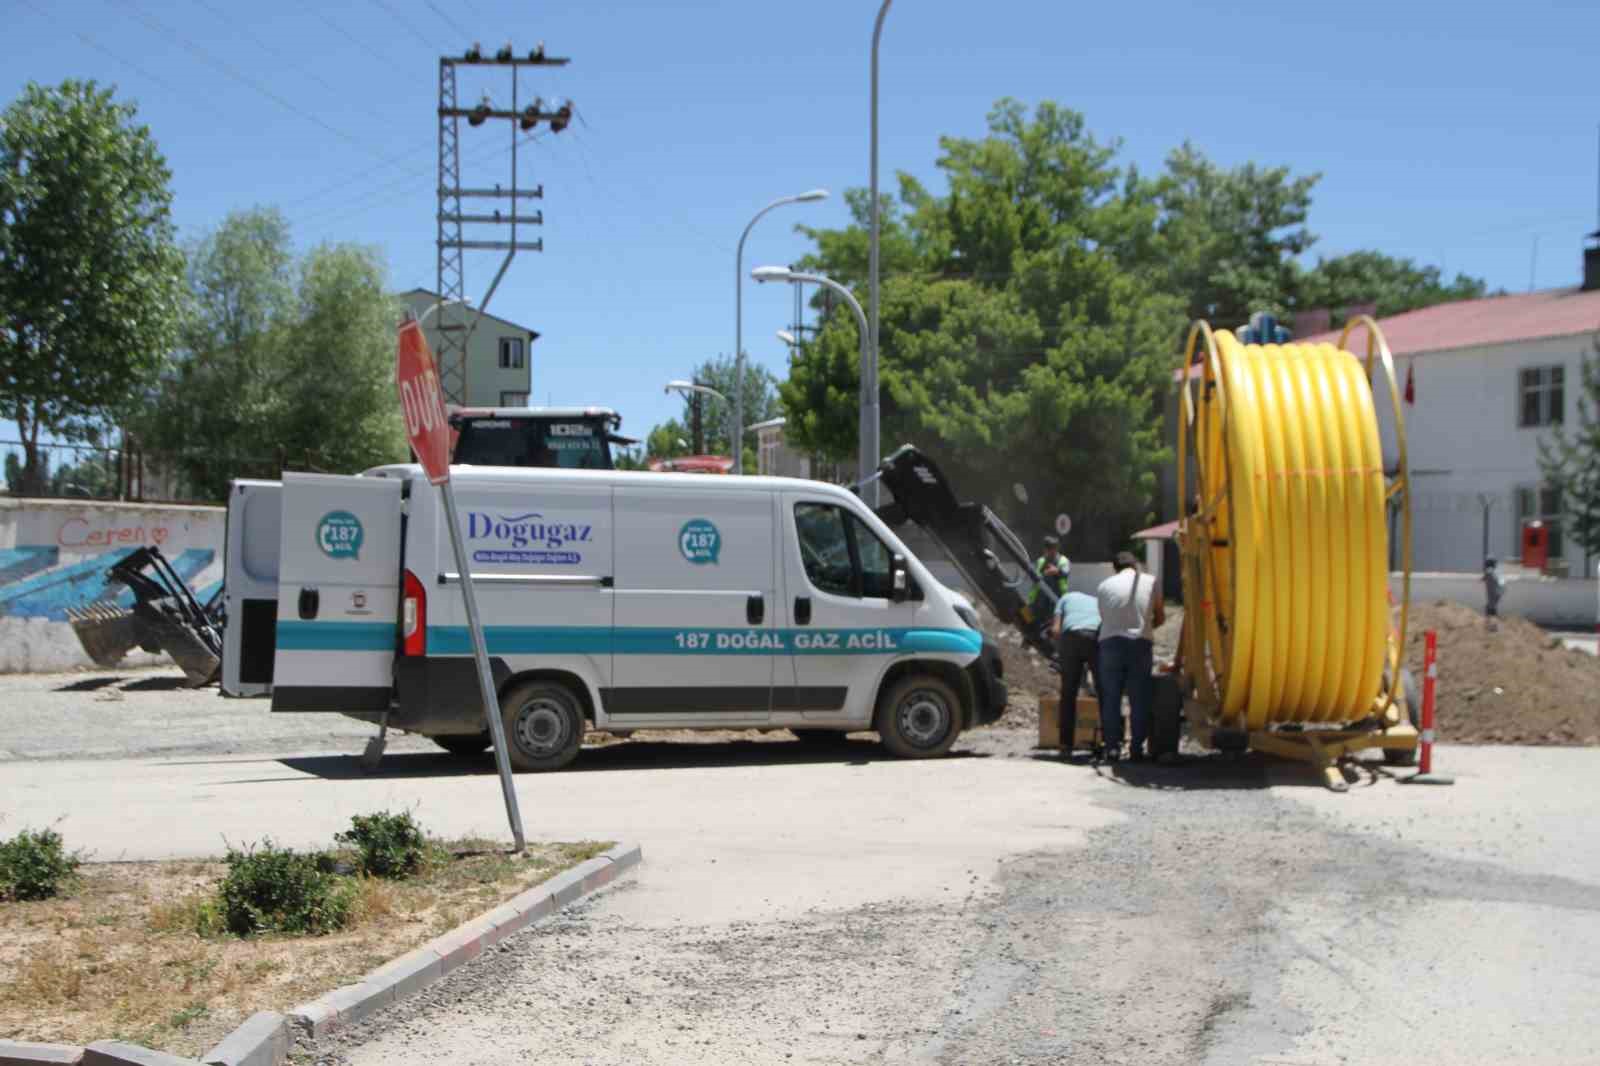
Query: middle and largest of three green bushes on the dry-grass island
point(279, 891)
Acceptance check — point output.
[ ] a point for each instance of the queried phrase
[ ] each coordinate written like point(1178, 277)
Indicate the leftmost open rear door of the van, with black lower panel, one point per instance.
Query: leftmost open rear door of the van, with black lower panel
point(250, 587)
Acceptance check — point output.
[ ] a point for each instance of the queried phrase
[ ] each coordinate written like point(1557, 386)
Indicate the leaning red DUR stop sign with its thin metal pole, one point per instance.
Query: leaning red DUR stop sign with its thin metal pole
point(428, 431)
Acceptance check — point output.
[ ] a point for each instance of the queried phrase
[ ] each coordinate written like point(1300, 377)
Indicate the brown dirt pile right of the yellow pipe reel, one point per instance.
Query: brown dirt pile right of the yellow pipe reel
point(1511, 684)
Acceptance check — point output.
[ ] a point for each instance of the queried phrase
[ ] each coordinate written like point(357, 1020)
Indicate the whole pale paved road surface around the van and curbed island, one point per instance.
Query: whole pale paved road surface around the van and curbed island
point(834, 907)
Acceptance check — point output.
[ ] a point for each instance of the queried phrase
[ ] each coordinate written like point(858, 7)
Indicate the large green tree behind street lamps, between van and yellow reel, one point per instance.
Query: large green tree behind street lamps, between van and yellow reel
point(1026, 335)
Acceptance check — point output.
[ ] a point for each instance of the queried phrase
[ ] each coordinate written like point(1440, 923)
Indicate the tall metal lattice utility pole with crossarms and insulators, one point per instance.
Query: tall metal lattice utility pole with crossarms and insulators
point(455, 334)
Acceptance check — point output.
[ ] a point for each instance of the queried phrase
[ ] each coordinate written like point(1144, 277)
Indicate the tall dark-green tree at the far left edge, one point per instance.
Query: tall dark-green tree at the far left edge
point(90, 275)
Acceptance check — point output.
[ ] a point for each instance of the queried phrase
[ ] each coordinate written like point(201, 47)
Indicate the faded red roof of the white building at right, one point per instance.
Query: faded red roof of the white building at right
point(1479, 323)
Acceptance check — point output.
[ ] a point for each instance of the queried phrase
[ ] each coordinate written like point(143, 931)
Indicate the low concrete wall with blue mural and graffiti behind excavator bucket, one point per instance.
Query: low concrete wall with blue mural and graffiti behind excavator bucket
point(55, 555)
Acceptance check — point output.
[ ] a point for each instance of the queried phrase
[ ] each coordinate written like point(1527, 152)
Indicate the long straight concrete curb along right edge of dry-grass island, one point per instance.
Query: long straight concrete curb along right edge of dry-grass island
point(433, 961)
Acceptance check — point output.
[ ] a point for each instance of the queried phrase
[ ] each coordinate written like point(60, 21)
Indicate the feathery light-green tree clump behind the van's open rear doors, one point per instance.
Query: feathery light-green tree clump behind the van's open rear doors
point(284, 363)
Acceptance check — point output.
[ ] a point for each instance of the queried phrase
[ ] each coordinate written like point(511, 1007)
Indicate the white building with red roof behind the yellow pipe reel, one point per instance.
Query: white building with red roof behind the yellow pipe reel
point(1490, 379)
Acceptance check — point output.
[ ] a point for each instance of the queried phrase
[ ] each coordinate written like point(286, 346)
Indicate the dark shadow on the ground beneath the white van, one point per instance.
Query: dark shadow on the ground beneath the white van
point(612, 758)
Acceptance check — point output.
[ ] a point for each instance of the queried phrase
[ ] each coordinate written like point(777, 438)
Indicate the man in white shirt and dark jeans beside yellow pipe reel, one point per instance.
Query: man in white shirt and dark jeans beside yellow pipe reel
point(1132, 607)
